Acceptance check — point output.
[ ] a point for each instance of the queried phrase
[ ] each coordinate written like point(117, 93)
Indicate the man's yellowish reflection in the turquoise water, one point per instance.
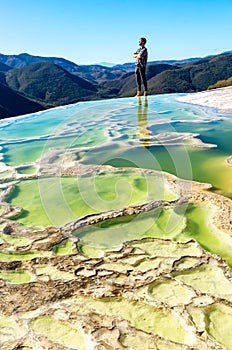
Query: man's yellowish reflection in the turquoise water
point(143, 132)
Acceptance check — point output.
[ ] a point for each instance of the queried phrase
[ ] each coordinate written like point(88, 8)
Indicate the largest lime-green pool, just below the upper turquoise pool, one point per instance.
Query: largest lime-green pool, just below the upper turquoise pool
point(56, 201)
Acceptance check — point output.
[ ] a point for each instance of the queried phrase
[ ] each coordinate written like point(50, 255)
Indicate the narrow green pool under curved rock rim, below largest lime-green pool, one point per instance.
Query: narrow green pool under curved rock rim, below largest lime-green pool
point(110, 234)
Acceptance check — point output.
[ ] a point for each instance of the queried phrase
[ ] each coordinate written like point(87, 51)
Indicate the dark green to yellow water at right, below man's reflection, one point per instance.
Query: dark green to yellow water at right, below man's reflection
point(206, 165)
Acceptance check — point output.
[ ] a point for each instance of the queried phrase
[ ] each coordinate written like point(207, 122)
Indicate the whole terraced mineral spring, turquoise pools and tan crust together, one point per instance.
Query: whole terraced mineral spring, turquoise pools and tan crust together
point(115, 227)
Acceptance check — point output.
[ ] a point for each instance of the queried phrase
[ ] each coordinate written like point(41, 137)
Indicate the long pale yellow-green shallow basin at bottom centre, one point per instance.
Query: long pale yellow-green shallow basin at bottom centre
point(142, 316)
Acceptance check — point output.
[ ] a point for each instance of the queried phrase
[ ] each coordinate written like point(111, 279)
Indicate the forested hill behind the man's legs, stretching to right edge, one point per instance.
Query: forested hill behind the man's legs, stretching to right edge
point(163, 78)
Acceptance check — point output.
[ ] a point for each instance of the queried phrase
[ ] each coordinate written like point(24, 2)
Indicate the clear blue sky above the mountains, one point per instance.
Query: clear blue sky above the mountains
point(86, 31)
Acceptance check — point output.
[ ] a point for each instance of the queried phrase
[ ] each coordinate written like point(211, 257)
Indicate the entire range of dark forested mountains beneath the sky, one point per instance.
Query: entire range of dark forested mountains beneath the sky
point(32, 83)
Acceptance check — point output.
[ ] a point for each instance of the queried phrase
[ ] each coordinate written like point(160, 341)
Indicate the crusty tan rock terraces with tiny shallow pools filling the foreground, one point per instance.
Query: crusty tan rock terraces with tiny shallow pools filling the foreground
point(54, 297)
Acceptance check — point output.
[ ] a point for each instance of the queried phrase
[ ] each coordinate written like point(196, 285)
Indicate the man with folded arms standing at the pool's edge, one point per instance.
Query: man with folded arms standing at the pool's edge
point(141, 63)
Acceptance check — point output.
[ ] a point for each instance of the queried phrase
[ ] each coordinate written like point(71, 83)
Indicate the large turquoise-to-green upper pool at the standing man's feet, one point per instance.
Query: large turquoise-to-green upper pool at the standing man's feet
point(121, 132)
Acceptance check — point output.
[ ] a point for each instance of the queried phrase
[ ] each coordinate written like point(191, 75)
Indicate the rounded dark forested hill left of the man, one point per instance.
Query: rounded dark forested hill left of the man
point(50, 84)
